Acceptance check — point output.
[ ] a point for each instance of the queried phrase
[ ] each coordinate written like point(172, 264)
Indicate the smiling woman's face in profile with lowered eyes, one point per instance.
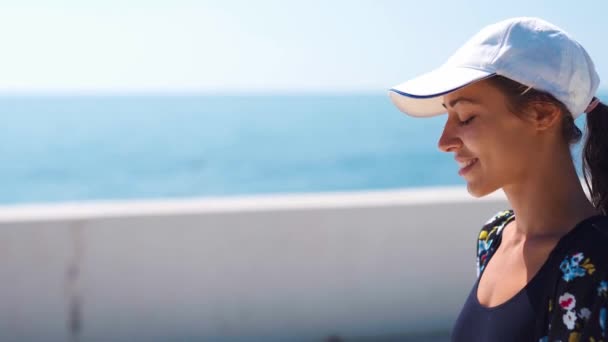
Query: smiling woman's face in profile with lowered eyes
point(481, 128)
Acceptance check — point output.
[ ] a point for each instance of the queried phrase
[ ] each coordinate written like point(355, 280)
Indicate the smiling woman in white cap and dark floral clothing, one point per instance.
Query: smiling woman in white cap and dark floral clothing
point(511, 94)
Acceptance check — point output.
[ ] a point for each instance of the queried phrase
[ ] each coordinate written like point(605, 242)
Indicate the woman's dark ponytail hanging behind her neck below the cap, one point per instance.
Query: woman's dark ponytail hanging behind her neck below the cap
point(595, 156)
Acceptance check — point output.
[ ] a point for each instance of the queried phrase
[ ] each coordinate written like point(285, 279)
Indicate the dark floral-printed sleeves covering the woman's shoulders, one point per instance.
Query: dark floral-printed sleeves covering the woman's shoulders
point(576, 308)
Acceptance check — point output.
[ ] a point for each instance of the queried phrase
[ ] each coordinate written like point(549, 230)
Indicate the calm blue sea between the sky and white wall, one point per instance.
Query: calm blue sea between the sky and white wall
point(66, 148)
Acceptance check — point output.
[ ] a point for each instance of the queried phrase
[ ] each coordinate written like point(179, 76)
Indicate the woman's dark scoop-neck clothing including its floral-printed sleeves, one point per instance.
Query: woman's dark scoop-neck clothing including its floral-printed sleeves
point(565, 300)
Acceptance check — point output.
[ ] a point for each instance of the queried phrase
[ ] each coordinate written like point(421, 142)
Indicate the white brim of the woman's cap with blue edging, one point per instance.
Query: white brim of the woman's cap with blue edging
point(422, 96)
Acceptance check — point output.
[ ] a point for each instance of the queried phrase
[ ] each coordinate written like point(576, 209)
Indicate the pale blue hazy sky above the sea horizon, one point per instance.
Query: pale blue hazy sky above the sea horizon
point(260, 46)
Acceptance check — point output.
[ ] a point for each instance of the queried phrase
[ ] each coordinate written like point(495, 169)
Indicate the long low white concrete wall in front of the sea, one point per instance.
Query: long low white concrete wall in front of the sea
point(280, 268)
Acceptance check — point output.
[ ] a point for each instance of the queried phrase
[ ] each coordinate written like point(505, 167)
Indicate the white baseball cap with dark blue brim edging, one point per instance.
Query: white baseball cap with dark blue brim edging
point(530, 51)
